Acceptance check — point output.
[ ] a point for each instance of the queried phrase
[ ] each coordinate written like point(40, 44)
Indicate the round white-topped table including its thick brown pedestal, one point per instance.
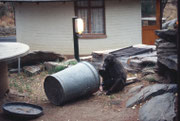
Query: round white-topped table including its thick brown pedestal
point(9, 51)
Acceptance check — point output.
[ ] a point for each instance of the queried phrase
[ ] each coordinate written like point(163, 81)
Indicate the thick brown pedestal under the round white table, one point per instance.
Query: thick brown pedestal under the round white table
point(3, 79)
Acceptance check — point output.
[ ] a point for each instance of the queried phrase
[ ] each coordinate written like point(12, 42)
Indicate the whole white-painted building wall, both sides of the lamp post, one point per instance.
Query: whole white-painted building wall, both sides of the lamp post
point(48, 26)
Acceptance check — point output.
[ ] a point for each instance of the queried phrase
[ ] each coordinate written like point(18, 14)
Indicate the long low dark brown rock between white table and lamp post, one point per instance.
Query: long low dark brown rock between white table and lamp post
point(37, 57)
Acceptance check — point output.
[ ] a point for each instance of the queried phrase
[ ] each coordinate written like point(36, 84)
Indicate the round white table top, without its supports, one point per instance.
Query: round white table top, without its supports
point(12, 50)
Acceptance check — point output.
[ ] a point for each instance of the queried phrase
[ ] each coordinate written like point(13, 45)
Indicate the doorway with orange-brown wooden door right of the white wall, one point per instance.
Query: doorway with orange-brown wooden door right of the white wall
point(150, 20)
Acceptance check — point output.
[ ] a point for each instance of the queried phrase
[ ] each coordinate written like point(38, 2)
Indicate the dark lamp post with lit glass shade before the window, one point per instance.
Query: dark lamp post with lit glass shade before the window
point(78, 28)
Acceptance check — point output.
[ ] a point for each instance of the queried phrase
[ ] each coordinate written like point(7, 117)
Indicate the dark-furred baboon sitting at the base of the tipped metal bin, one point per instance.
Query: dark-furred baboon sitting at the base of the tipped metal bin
point(113, 74)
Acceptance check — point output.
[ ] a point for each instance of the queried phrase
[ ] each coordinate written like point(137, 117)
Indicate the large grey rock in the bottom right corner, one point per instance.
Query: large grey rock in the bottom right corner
point(159, 108)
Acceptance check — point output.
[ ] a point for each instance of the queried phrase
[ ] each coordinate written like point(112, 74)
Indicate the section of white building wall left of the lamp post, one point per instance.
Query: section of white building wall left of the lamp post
point(45, 26)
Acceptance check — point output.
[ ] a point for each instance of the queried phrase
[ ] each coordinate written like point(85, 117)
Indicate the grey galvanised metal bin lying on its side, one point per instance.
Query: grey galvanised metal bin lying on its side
point(78, 80)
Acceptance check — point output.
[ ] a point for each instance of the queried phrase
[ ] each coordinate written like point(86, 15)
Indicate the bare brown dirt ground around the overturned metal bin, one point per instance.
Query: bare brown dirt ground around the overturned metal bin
point(98, 107)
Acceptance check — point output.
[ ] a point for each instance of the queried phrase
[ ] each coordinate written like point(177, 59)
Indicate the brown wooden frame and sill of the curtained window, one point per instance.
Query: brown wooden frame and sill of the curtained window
point(89, 7)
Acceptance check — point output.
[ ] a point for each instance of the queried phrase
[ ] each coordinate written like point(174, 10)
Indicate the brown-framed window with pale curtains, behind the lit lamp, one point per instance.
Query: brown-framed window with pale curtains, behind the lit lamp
point(93, 14)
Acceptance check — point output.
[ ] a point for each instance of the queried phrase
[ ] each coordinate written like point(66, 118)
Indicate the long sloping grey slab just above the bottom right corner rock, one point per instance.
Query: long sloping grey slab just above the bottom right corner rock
point(151, 91)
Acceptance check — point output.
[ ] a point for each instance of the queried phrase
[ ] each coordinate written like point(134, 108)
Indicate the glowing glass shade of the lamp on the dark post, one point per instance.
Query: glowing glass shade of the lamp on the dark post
point(79, 25)
